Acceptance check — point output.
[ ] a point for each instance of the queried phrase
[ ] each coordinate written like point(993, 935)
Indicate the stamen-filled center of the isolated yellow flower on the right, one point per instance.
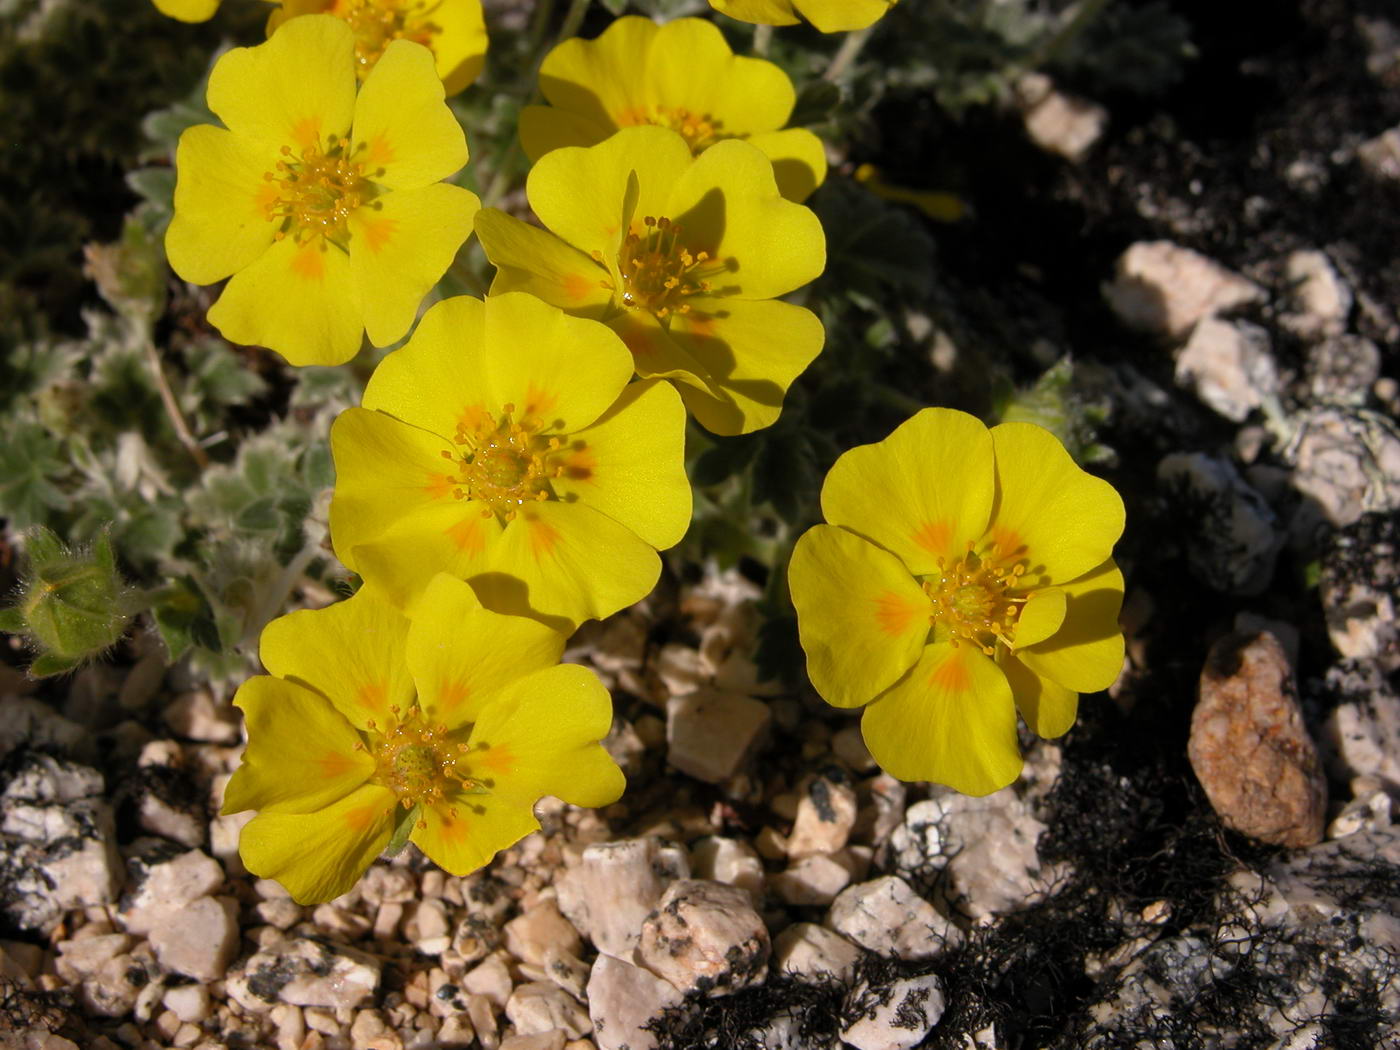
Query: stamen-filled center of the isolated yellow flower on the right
point(975, 601)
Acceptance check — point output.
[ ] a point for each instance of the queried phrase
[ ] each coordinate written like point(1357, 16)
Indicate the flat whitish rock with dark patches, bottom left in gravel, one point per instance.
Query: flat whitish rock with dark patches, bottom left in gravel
point(303, 972)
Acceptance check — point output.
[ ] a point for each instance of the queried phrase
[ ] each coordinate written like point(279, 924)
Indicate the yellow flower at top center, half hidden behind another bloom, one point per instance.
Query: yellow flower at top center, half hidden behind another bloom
point(681, 76)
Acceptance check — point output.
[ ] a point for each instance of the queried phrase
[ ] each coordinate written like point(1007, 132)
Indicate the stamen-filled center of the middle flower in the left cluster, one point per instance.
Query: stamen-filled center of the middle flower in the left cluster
point(505, 463)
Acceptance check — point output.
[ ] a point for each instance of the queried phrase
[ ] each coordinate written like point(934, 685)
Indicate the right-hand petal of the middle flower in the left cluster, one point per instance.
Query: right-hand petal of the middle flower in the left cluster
point(631, 465)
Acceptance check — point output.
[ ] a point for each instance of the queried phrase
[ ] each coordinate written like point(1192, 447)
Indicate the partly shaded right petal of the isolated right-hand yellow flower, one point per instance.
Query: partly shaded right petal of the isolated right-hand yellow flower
point(1087, 653)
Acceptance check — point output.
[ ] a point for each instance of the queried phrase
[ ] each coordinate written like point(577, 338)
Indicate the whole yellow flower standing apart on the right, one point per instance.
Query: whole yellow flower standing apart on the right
point(965, 575)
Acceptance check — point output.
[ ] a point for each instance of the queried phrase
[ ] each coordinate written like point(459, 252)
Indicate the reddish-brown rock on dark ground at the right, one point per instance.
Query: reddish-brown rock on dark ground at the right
point(1249, 747)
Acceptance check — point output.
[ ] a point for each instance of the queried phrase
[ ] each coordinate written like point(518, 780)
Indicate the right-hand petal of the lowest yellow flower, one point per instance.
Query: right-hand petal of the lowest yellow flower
point(541, 737)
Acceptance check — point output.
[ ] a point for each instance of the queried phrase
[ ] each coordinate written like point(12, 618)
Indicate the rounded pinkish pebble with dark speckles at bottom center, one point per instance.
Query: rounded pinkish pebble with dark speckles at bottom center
point(706, 937)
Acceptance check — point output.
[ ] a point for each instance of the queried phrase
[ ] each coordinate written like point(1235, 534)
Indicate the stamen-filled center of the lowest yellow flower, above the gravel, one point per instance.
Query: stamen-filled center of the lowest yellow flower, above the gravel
point(421, 764)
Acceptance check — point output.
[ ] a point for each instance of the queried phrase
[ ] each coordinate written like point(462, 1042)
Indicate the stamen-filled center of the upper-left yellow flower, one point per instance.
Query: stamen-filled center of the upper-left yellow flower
point(316, 191)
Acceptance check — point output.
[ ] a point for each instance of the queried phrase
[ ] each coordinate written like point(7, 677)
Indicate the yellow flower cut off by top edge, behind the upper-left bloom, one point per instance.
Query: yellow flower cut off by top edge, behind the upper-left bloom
point(453, 30)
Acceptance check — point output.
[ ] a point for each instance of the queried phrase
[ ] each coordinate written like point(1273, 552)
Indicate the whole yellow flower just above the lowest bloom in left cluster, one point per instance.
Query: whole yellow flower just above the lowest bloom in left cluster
point(505, 446)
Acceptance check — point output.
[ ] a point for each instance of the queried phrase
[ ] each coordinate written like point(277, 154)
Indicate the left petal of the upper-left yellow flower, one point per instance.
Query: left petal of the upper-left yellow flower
point(220, 222)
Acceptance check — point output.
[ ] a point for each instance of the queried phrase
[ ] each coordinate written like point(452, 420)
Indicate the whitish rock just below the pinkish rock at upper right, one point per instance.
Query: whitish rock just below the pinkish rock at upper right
point(1230, 367)
